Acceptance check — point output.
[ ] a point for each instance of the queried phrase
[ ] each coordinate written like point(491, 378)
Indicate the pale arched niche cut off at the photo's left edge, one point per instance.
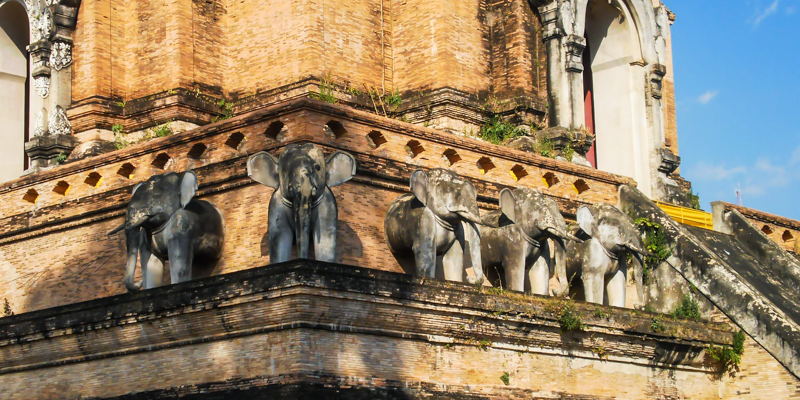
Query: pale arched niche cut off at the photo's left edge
point(14, 89)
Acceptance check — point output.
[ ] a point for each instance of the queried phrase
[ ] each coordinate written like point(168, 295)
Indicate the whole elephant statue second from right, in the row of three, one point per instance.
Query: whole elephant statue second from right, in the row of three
point(516, 238)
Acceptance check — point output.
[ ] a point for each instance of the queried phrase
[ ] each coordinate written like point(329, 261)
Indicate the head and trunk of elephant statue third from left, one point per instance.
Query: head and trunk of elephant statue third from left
point(454, 201)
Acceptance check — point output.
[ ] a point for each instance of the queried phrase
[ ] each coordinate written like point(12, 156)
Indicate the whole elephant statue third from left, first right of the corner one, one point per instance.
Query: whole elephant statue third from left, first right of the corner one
point(439, 218)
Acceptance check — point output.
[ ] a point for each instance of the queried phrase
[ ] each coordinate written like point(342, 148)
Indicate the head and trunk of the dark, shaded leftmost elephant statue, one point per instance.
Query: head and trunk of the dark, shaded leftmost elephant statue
point(152, 205)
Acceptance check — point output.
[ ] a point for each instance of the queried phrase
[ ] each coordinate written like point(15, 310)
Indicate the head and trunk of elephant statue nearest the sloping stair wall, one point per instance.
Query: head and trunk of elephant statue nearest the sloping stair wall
point(617, 234)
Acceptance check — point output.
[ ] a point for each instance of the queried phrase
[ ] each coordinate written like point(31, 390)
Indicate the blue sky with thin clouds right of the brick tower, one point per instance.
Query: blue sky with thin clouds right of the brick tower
point(737, 73)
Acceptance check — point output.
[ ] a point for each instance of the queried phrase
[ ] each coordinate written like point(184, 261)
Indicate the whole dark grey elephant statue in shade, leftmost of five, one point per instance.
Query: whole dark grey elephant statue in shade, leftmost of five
point(165, 221)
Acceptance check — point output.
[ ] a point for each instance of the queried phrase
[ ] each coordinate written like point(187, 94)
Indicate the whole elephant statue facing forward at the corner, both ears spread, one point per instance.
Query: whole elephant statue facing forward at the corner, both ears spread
point(302, 207)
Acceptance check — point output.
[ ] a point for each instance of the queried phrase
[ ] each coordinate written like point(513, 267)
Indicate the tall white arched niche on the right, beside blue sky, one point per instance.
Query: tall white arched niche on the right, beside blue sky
point(614, 90)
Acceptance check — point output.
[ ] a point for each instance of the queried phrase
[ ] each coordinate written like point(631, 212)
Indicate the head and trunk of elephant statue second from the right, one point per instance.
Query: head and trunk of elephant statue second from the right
point(538, 217)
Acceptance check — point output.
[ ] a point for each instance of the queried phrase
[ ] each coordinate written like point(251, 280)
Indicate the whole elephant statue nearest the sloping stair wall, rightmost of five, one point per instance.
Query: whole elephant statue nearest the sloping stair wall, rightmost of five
point(601, 260)
